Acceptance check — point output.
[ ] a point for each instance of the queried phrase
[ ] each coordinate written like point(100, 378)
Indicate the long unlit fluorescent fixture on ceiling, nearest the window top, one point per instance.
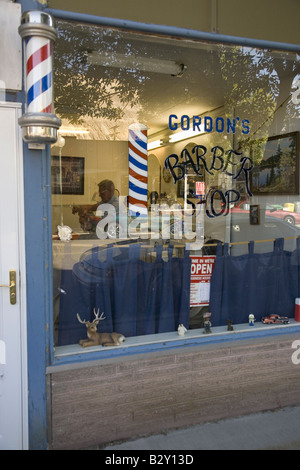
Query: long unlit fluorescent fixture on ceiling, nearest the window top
point(134, 63)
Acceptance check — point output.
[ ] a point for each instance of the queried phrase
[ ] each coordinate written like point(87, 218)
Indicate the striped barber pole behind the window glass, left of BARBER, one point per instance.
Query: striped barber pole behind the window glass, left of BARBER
point(138, 169)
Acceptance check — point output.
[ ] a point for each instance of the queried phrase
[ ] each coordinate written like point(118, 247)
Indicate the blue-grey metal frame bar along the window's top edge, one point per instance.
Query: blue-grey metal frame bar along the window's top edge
point(172, 31)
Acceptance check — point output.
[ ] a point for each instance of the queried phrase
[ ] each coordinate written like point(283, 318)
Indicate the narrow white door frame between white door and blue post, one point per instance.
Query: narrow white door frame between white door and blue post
point(21, 282)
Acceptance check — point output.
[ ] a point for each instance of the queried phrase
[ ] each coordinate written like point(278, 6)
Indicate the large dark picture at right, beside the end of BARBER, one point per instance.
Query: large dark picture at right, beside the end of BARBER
point(277, 172)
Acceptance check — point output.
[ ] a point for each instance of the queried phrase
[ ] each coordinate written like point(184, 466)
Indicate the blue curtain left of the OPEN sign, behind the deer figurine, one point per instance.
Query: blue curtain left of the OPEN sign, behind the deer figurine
point(137, 297)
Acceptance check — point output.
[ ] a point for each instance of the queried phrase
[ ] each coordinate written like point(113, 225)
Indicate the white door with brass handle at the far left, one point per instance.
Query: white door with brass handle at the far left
point(13, 403)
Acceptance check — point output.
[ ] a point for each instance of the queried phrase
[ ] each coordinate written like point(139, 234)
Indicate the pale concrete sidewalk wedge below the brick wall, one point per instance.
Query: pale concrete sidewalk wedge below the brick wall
point(271, 430)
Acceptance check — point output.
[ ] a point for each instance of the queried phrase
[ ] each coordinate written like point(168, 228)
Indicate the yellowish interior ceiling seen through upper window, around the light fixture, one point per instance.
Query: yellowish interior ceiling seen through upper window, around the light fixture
point(107, 100)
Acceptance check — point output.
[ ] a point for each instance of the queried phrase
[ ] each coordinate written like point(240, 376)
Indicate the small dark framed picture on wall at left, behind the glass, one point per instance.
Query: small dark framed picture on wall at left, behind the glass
point(67, 175)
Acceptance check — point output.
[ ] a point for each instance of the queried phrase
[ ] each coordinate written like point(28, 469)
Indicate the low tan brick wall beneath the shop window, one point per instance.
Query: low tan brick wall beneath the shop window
point(141, 395)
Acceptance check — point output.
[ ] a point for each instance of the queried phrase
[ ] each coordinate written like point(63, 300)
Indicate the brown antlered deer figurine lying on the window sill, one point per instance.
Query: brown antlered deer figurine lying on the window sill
point(94, 338)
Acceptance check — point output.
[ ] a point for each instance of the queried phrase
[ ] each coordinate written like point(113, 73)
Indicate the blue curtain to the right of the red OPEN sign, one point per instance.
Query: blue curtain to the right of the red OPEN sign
point(255, 283)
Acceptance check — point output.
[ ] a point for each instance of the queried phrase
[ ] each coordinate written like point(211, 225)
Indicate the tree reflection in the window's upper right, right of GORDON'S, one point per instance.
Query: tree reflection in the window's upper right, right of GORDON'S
point(259, 83)
